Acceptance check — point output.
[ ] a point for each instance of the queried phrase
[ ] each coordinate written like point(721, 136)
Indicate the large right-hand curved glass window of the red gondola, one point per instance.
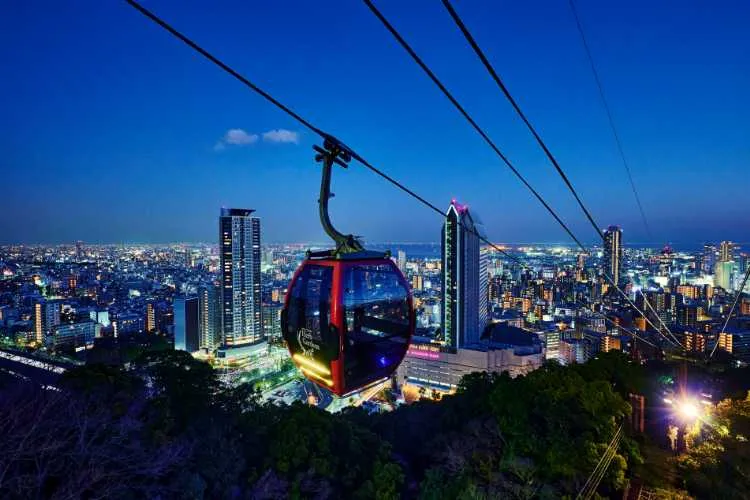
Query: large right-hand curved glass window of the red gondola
point(377, 320)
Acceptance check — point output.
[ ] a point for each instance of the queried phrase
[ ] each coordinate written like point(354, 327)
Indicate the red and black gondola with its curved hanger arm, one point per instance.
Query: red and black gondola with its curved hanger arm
point(348, 315)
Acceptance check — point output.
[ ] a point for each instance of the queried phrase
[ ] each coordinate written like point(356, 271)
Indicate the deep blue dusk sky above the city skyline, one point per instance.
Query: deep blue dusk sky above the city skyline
point(113, 131)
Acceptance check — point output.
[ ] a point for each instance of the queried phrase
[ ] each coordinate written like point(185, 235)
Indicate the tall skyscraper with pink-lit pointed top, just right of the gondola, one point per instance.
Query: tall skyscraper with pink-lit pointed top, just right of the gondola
point(464, 307)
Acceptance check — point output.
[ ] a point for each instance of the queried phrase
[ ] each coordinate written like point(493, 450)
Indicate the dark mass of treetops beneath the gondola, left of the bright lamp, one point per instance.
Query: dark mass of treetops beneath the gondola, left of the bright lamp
point(537, 436)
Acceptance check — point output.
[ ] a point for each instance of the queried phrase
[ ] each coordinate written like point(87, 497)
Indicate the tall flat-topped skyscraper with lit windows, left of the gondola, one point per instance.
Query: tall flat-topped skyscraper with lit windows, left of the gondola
point(239, 241)
